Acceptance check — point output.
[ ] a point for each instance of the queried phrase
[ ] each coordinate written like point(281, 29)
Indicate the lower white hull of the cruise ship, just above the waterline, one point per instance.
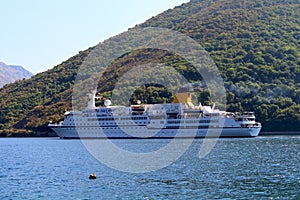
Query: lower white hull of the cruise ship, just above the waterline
point(143, 132)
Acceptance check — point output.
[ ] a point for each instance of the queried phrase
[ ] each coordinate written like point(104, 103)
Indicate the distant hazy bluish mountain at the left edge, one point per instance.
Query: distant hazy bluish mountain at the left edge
point(12, 73)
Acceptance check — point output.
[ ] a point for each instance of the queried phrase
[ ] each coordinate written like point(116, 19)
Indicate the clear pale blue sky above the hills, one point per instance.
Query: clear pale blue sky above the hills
point(39, 34)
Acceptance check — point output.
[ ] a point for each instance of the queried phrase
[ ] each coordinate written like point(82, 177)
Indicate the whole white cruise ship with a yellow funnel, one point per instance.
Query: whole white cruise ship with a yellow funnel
point(179, 119)
